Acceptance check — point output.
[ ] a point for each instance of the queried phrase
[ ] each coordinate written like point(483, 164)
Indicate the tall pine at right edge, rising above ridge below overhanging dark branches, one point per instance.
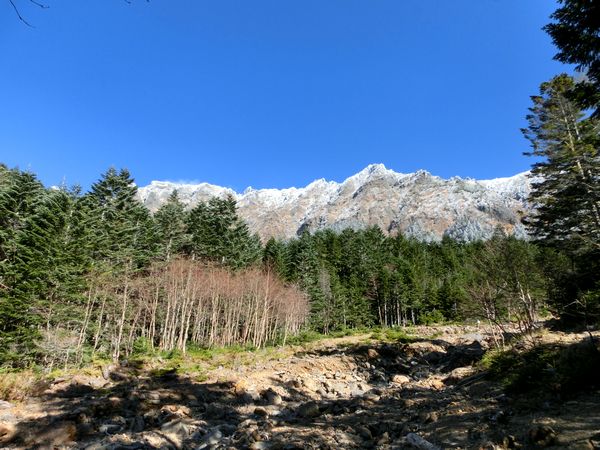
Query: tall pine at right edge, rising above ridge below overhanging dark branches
point(566, 195)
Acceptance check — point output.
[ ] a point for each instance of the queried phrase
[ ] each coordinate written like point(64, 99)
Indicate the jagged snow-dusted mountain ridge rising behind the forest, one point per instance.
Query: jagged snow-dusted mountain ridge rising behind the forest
point(416, 204)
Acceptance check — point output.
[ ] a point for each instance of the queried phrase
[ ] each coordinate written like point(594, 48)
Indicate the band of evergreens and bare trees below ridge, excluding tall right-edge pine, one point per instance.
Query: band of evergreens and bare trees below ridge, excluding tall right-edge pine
point(95, 274)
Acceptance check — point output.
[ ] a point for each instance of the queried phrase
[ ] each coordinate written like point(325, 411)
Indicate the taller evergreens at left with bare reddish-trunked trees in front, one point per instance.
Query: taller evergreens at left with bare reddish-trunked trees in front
point(97, 274)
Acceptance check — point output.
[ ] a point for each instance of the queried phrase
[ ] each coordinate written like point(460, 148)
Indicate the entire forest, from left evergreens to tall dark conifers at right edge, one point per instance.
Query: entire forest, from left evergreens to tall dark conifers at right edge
point(94, 273)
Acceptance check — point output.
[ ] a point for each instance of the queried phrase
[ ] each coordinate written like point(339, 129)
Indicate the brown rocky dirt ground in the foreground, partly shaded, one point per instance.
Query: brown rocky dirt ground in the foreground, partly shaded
point(347, 393)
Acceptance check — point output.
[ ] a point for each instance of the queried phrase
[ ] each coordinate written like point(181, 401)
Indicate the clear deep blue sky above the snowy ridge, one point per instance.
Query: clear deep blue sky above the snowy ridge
point(269, 93)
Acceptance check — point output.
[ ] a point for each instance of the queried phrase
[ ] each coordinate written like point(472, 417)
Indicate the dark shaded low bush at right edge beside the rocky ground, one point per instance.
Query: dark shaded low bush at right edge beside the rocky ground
point(554, 368)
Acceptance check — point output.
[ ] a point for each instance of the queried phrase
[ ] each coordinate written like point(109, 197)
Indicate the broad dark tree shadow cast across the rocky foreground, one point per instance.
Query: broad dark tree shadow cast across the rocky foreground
point(138, 410)
